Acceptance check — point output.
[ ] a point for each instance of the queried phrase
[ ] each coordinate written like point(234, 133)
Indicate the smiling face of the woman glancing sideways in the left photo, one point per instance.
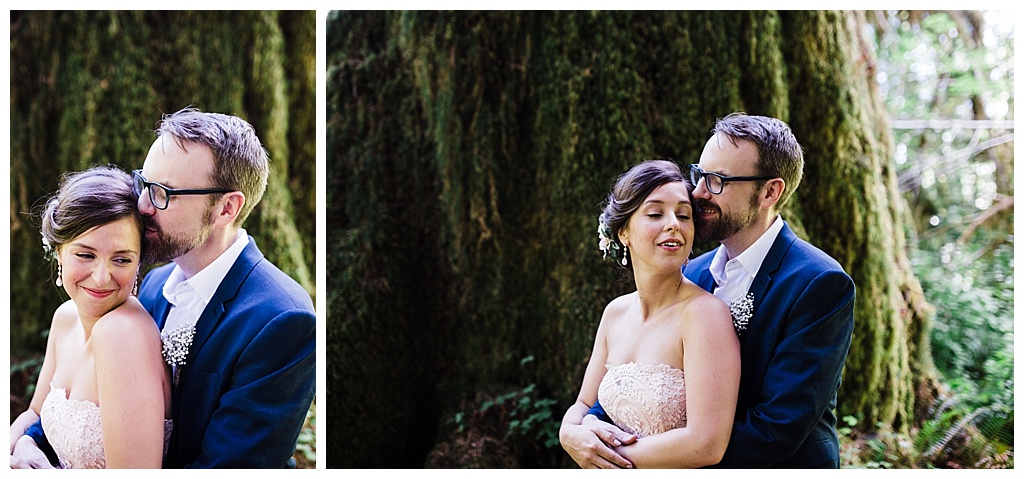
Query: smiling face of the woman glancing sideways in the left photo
point(100, 268)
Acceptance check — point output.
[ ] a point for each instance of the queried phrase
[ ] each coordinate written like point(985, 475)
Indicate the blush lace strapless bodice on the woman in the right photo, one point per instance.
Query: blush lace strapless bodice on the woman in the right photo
point(645, 400)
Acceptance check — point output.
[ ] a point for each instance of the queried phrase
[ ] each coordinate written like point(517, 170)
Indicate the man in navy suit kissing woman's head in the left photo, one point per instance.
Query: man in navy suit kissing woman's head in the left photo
point(240, 334)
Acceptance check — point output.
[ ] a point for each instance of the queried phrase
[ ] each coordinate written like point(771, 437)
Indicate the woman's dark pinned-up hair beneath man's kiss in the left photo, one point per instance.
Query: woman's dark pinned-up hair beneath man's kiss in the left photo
point(86, 200)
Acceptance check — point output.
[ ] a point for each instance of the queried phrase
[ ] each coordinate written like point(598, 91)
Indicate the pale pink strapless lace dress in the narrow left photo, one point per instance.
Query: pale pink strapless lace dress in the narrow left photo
point(75, 432)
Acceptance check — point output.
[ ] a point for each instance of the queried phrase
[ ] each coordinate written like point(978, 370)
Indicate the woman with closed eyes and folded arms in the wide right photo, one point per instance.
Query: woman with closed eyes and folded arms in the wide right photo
point(666, 361)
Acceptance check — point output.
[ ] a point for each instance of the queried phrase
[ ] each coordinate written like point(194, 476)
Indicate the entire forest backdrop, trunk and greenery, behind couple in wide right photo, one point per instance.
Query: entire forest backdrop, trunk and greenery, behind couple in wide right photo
point(468, 155)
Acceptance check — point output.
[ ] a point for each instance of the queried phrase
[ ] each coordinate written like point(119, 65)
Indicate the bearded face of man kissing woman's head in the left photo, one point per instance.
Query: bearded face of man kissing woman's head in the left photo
point(187, 223)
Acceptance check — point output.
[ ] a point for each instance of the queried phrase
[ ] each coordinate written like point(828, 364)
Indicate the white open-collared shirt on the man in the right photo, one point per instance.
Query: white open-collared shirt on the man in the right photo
point(735, 276)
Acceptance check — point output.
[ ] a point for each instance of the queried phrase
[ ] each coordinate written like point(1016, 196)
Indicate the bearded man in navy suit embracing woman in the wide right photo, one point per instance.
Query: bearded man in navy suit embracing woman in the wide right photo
point(795, 342)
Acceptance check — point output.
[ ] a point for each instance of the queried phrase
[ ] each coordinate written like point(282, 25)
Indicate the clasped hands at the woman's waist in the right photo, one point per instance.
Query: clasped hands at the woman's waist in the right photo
point(590, 445)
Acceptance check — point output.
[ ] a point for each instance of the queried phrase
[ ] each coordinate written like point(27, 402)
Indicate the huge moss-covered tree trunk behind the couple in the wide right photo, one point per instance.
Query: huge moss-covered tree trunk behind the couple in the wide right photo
point(468, 155)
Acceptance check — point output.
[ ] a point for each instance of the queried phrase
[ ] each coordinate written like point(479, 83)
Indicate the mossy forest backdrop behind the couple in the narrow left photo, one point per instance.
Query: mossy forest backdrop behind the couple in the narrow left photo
point(89, 88)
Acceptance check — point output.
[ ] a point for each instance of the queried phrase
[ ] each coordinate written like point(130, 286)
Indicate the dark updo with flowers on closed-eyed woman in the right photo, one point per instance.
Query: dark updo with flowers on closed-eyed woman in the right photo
point(629, 193)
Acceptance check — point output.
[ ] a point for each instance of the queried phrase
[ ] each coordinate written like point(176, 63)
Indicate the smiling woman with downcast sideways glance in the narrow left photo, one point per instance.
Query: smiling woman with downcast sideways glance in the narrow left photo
point(104, 391)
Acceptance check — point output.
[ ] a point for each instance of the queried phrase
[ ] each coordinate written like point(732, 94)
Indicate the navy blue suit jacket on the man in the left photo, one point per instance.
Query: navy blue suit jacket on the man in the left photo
point(249, 379)
